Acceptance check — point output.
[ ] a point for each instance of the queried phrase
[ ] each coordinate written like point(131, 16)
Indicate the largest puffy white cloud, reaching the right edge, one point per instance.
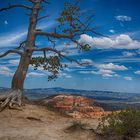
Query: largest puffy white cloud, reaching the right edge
point(118, 42)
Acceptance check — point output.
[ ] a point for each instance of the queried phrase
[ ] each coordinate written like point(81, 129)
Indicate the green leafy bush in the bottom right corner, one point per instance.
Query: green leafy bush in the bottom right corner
point(124, 123)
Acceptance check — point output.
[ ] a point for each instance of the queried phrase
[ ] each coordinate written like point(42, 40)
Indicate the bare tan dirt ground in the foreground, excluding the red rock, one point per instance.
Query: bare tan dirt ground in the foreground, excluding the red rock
point(37, 123)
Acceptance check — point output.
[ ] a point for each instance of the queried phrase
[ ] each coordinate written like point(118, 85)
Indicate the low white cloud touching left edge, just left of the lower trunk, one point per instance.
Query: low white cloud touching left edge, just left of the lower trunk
point(5, 71)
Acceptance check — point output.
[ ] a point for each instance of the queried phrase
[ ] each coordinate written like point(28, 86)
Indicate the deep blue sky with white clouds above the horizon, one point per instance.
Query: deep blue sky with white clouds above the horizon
point(114, 61)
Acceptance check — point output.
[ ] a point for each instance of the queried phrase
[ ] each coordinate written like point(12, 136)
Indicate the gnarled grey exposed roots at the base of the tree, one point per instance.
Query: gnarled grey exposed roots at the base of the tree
point(12, 100)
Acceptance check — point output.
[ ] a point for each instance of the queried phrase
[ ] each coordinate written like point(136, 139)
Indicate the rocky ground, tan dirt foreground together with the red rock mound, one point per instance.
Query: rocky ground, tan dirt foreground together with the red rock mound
point(61, 117)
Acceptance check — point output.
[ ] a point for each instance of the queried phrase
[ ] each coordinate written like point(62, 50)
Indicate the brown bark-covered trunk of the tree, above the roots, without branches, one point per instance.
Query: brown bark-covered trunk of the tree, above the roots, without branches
point(21, 72)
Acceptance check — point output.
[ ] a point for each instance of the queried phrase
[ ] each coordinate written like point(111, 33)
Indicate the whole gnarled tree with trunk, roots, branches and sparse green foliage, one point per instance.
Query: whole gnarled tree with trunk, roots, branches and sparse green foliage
point(70, 27)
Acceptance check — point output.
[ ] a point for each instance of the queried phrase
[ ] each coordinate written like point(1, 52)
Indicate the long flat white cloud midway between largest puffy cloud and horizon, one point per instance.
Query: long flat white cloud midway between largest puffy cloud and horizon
point(111, 66)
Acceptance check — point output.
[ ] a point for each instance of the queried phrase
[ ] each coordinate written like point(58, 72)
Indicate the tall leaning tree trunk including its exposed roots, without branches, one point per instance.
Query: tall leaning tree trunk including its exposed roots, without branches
point(14, 97)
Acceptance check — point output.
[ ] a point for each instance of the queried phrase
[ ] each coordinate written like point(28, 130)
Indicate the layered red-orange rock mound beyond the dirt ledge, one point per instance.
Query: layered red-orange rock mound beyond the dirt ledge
point(75, 106)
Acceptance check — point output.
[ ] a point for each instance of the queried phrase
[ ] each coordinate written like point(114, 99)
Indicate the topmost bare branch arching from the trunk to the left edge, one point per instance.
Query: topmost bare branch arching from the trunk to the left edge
point(16, 6)
